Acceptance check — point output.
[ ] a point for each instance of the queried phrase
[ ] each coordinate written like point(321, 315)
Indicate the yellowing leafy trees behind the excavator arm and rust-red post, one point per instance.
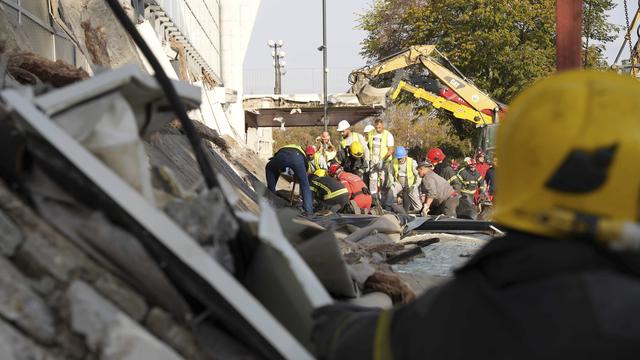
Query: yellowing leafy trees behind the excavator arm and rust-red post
point(504, 45)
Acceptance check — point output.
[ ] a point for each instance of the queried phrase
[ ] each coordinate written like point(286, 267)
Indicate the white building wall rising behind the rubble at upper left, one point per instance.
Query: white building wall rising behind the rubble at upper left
point(218, 30)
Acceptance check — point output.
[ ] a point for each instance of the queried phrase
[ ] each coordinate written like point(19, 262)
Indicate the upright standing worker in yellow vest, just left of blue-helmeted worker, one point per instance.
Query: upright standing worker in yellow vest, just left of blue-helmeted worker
point(380, 144)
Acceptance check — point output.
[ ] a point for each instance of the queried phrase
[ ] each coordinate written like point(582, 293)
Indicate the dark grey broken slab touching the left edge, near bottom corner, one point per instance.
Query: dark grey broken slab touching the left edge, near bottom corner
point(22, 306)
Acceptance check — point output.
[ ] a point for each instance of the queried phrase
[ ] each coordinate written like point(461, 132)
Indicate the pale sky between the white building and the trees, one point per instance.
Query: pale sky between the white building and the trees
point(299, 24)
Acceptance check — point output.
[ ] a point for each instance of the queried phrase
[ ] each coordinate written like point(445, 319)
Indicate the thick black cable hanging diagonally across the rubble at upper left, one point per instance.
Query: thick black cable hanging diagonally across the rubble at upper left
point(174, 101)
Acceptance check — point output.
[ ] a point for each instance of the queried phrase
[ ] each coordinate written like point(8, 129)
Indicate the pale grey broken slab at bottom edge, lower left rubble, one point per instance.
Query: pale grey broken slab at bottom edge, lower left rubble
point(108, 331)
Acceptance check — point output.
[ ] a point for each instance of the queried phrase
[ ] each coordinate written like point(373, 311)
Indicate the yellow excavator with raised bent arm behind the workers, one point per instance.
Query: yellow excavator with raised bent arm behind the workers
point(452, 92)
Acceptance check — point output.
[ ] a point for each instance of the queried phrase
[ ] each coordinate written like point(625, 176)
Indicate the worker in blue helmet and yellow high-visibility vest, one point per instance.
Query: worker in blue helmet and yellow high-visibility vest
point(404, 171)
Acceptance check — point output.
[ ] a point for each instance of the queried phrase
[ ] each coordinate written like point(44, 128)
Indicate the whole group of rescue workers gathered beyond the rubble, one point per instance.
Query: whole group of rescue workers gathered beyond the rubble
point(370, 171)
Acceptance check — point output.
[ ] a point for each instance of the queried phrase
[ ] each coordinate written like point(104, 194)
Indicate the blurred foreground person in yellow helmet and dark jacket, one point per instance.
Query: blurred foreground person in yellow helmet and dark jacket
point(564, 283)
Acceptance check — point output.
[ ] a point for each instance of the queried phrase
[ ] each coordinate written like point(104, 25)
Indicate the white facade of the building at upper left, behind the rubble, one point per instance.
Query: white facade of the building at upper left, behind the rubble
point(210, 37)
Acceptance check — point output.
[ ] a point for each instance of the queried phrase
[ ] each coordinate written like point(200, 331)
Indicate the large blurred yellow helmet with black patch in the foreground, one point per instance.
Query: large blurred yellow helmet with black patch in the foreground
point(568, 150)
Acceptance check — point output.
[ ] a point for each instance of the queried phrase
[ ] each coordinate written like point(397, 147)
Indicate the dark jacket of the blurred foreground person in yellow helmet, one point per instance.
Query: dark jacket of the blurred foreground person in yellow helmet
point(520, 297)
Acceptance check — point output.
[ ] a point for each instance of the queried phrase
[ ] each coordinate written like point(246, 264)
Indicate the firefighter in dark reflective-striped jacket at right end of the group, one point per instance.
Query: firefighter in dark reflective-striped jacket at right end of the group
point(468, 181)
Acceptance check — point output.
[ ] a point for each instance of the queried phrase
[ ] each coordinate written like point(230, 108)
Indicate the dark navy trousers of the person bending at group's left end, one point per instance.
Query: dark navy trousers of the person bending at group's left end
point(295, 162)
